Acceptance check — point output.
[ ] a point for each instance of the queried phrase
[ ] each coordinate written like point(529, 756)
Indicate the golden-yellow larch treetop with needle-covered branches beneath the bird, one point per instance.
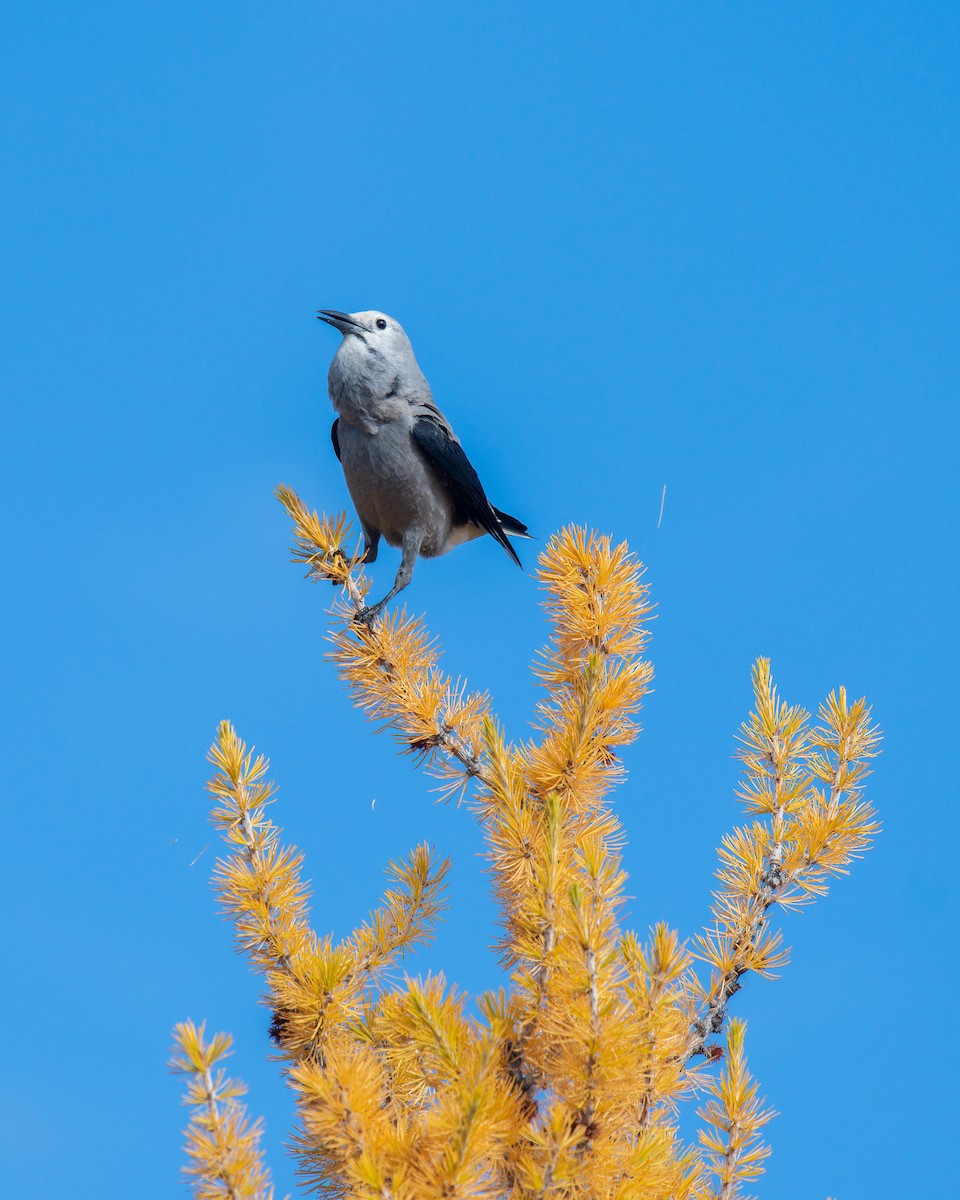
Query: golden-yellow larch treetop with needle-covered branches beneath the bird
point(571, 1081)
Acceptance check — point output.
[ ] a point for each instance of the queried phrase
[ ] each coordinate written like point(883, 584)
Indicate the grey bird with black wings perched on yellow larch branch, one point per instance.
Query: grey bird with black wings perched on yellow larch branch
point(405, 467)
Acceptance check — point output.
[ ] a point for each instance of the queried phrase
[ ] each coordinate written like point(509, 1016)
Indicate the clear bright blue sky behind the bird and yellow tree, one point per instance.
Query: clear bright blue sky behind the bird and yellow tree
point(711, 248)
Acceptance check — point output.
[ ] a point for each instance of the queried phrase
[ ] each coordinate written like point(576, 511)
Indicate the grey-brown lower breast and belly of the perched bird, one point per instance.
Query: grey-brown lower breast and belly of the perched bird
point(394, 490)
